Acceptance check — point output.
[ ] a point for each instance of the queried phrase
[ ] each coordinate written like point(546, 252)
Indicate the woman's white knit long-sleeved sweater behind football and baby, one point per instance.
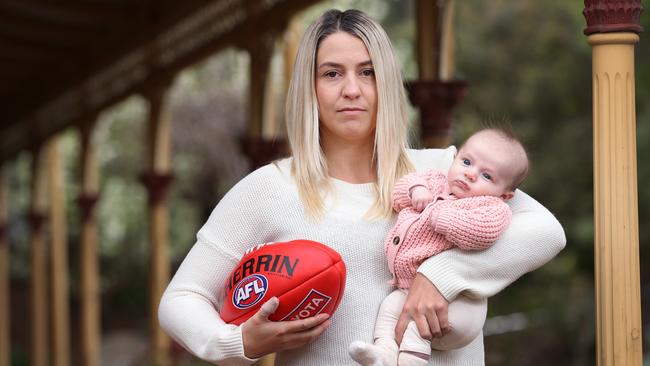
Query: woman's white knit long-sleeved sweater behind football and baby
point(265, 207)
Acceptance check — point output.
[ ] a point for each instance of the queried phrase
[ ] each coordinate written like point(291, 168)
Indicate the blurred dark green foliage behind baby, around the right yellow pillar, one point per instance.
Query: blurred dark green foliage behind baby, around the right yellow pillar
point(529, 61)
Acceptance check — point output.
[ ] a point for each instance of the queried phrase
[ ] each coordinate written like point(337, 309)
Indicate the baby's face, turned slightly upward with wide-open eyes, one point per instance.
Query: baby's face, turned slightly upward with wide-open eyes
point(484, 166)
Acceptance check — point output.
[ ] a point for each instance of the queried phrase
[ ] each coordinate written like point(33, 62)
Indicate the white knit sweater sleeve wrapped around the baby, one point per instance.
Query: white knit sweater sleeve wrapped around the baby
point(533, 238)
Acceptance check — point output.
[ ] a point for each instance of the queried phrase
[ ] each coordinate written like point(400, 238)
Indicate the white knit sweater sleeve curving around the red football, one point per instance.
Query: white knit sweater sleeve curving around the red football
point(188, 310)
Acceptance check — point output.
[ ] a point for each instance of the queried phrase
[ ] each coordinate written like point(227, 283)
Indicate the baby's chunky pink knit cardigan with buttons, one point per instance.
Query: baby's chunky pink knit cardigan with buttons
point(471, 223)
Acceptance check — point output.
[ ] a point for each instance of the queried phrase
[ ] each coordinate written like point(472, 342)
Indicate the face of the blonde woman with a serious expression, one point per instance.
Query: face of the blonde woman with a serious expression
point(346, 90)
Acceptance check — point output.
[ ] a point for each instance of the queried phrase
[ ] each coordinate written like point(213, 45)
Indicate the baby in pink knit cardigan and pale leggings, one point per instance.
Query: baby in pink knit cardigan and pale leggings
point(464, 209)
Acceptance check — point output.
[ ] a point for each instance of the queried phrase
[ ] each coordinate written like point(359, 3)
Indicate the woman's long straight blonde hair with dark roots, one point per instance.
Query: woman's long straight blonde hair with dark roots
point(309, 166)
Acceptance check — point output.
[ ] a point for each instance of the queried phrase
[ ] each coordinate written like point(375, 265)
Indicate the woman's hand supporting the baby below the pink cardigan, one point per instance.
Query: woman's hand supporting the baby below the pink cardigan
point(426, 307)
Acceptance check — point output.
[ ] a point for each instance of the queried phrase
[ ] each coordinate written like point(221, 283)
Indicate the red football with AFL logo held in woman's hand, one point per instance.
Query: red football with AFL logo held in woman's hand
point(306, 276)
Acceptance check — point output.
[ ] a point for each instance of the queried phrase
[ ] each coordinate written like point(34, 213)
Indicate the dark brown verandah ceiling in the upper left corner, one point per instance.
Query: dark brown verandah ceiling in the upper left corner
point(62, 61)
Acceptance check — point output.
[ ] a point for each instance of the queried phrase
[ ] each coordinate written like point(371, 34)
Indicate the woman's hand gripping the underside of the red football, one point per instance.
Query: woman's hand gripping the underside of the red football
point(262, 336)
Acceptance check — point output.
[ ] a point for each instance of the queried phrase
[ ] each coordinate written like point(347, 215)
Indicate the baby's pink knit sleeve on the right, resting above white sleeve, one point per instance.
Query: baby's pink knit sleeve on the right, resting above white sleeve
point(473, 223)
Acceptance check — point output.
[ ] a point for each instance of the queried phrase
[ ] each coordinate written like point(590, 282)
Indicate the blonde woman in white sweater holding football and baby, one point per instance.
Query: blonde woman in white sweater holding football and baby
point(347, 128)
